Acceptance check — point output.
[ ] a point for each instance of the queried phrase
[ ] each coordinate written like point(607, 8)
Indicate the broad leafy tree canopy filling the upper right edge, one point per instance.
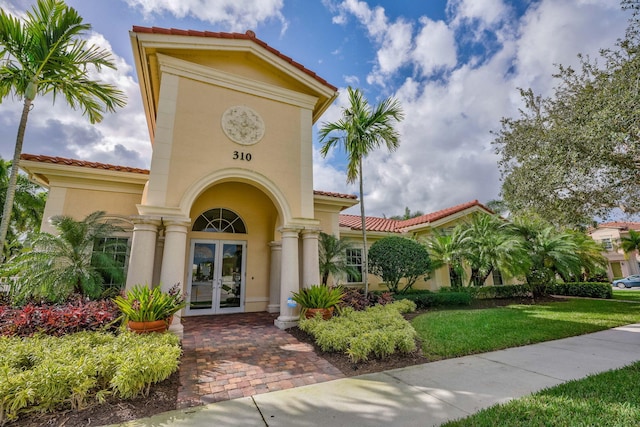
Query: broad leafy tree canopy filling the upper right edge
point(576, 154)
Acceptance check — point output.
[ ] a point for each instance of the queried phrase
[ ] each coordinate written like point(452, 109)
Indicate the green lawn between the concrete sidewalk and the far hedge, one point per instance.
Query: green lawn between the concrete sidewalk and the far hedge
point(453, 333)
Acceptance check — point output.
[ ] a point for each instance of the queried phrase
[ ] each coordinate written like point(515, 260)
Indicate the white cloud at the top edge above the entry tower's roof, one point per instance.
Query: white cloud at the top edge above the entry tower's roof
point(236, 15)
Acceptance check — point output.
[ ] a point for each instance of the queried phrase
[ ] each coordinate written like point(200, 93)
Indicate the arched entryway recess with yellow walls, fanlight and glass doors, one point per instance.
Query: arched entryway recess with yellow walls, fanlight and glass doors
point(228, 264)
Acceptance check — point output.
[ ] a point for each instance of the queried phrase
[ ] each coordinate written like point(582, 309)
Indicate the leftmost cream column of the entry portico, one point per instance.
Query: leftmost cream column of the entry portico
point(142, 254)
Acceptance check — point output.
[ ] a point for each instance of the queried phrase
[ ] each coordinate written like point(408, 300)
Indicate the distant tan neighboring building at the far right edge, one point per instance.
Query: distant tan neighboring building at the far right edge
point(609, 234)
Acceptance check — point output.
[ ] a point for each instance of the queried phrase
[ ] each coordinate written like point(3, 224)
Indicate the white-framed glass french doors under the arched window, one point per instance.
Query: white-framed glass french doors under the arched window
point(217, 277)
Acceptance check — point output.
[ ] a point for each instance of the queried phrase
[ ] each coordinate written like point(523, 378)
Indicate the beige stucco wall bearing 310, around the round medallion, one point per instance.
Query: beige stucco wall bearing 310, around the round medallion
point(200, 147)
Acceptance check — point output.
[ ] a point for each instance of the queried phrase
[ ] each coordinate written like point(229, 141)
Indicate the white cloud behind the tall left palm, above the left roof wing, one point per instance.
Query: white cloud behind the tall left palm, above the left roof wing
point(58, 130)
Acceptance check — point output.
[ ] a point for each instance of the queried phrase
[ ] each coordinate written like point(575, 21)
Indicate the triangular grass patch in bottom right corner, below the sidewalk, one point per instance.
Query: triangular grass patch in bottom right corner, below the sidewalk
point(608, 399)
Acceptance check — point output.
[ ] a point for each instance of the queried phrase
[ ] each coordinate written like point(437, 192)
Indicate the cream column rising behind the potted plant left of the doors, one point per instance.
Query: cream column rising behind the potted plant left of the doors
point(173, 261)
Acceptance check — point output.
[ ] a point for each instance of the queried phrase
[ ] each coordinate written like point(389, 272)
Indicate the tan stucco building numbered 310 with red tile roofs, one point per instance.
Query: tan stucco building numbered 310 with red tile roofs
point(227, 208)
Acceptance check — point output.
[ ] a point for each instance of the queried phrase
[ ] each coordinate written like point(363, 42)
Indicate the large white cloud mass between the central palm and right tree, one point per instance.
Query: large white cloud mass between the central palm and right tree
point(445, 155)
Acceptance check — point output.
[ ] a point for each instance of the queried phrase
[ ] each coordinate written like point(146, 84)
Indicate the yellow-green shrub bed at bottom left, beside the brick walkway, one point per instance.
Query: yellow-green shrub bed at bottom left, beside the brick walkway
point(45, 373)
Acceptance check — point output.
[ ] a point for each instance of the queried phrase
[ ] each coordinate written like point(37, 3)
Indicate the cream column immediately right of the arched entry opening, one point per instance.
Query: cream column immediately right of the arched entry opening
point(289, 277)
